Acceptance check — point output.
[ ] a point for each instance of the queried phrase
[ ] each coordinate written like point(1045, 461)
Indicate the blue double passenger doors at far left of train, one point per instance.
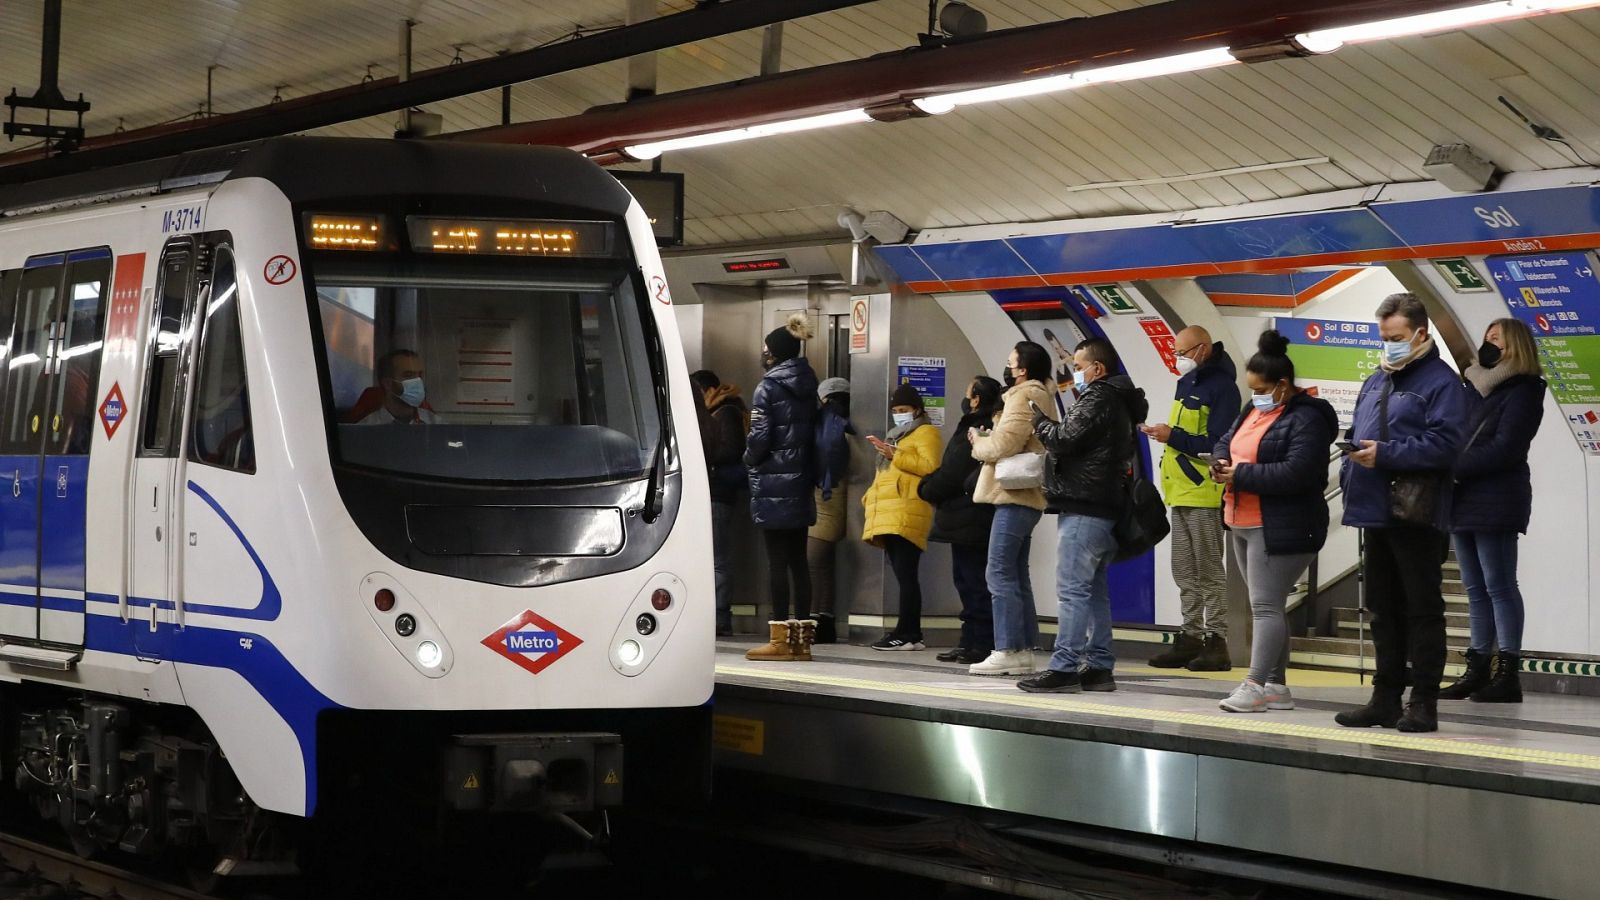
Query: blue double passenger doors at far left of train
point(49, 427)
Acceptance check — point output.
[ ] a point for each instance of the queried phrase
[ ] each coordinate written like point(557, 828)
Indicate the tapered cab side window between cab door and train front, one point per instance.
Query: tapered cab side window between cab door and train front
point(220, 417)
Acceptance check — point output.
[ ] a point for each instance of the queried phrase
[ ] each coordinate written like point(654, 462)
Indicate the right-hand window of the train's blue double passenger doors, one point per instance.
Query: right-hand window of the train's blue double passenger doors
point(82, 329)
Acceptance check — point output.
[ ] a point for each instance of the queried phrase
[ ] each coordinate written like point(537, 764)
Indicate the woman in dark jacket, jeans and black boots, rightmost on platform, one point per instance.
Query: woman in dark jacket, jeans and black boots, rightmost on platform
point(1492, 507)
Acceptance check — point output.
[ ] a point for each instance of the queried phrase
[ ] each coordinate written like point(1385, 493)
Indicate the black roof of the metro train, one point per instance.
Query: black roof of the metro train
point(324, 169)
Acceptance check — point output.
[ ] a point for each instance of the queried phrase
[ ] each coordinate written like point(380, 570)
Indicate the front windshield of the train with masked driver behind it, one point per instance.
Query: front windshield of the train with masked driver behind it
point(502, 376)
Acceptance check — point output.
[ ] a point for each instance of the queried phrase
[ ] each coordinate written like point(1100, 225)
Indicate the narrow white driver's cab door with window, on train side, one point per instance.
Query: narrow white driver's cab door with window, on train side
point(153, 513)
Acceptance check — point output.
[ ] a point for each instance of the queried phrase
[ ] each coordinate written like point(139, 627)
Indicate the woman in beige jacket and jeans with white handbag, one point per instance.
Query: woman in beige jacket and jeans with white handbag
point(1017, 510)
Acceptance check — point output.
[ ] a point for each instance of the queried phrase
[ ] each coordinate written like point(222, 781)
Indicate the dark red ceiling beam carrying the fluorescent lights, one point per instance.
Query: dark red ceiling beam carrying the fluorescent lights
point(892, 79)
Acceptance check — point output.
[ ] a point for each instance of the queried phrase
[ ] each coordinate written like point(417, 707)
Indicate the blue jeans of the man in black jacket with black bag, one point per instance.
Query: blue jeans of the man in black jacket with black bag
point(1084, 595)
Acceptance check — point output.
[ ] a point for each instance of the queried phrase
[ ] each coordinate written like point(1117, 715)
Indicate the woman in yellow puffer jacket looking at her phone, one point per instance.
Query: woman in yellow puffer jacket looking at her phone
point(900, 521)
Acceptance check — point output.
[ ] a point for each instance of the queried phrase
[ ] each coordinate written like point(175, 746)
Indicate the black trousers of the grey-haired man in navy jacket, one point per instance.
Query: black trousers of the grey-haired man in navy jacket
point(1404, 576)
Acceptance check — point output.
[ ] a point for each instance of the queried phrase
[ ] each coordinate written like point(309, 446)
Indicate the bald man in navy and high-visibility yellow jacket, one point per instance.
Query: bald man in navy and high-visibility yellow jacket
point(1206, 408)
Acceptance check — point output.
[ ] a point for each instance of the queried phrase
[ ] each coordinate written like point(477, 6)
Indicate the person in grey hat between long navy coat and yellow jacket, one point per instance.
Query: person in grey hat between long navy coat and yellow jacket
point(833, 473)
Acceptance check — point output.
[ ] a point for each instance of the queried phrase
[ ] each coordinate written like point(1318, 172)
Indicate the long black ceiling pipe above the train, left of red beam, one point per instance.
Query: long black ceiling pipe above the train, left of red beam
point(388, 95)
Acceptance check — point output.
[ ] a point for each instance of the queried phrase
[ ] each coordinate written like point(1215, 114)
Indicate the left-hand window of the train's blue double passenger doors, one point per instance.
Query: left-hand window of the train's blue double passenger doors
point(31, 337)
